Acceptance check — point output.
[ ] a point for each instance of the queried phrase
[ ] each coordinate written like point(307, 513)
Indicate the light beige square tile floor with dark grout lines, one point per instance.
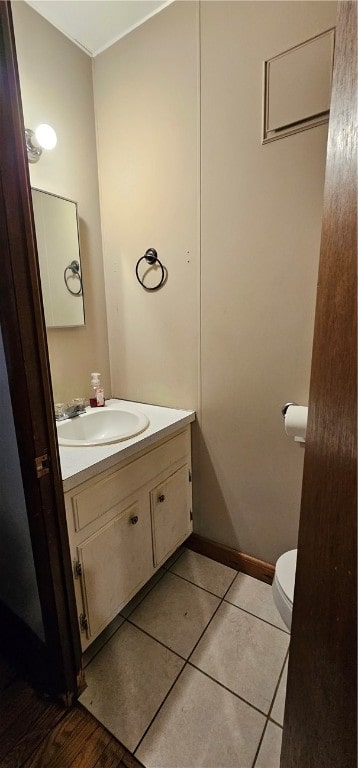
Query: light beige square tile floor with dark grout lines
point(195, 676)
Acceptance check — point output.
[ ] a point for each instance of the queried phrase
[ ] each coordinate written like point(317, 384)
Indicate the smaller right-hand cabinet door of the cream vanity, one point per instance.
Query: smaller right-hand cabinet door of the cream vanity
point(171, 513)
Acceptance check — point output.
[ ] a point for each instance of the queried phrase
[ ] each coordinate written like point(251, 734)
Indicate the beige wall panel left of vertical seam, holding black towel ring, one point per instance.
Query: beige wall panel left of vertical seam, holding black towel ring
point(146, 104)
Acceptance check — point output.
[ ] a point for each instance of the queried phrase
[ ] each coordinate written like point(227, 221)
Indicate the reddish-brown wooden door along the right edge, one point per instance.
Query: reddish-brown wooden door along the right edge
point(320, 715)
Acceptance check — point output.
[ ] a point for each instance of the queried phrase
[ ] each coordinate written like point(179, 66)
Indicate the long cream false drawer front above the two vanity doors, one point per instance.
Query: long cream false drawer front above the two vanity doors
point(99, 497)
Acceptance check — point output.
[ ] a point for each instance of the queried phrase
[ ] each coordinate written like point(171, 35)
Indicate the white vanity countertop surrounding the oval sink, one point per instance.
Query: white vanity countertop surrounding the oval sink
point(81, 463)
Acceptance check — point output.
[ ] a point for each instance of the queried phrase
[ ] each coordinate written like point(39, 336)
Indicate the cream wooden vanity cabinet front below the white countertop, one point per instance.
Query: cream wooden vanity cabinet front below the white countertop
point(123, 524)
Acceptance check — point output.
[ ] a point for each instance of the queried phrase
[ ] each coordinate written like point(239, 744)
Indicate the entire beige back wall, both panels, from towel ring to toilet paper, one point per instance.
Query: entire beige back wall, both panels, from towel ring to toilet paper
point(245, 337)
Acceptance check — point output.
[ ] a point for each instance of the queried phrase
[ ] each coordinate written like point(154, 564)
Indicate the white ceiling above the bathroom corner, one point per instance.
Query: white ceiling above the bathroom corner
point(94, 25)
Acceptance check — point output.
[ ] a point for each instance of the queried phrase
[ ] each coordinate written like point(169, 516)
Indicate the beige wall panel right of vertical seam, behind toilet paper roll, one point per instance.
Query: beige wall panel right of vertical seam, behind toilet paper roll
point(261, 219)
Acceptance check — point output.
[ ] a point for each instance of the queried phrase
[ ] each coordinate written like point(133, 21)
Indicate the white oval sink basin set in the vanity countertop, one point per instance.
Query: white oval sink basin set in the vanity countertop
point(101, 426)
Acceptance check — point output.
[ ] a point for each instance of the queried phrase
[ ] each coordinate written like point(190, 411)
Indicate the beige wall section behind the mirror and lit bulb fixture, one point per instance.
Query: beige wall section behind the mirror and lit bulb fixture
point(56, 87)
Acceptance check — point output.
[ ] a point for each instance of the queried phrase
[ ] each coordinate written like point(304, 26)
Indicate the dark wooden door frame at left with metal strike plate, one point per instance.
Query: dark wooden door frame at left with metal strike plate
point(25, 346)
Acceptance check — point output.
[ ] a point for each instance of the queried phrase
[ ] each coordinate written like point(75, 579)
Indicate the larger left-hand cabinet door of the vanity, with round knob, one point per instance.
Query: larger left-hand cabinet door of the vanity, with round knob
point(115, 561)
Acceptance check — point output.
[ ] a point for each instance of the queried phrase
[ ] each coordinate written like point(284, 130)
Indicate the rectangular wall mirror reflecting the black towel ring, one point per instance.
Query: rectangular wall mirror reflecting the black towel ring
point(57, 237)
